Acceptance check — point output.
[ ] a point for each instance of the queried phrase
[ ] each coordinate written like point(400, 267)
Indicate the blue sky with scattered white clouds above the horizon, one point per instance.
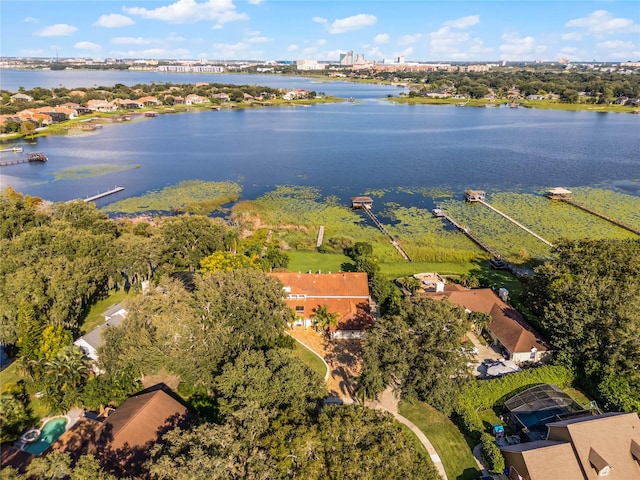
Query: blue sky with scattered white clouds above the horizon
point(321, 30)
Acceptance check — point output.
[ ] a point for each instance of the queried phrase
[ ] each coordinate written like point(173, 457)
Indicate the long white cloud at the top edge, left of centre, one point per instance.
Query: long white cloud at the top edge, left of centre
point(189, 11)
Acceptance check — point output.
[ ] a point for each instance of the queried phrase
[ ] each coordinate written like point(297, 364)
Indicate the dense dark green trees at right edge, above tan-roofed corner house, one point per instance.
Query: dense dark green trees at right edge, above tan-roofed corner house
point(588, 297)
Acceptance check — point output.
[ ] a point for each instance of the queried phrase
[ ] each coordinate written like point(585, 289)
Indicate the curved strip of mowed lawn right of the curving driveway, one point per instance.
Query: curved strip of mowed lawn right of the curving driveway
point(448, 441)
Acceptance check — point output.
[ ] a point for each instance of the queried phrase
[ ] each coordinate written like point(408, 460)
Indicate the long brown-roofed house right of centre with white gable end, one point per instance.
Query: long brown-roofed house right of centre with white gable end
point(508, 328)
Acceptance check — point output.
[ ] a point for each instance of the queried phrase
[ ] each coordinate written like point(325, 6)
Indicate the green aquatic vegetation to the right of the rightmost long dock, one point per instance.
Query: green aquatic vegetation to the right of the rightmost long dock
point(621, 207)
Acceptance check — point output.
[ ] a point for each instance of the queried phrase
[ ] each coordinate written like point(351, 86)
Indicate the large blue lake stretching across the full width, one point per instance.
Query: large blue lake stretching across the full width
point(344, 149)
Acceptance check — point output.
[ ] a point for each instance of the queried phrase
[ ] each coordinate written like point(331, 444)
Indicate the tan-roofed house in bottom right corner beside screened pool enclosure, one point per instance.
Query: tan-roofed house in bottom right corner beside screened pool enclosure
point(585, 448)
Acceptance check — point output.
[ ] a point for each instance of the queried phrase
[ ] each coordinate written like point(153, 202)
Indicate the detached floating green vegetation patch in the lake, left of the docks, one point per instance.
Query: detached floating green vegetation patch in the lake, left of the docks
point(193, 196)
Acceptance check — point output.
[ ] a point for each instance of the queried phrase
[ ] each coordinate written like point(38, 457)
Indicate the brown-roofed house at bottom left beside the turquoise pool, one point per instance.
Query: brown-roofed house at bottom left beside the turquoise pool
point(122, 441)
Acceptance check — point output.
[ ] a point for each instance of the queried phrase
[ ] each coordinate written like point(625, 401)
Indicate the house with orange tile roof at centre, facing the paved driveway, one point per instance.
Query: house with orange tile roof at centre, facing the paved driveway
point(344, 293)
